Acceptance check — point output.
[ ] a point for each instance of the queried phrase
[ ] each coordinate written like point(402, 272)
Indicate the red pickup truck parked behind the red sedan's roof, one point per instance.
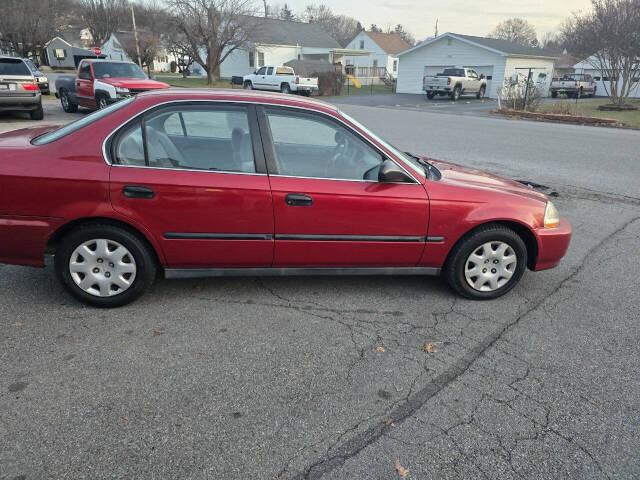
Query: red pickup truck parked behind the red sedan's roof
point(99, 83)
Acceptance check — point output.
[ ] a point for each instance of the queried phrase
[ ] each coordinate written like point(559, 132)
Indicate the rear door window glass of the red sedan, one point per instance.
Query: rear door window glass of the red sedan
point(198, 137)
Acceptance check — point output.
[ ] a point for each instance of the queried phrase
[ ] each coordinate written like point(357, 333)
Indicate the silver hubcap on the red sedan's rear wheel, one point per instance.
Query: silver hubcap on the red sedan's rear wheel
point(103, 268)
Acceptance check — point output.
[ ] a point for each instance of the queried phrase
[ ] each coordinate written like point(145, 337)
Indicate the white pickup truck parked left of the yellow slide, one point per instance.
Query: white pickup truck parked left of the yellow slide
point(281, 79)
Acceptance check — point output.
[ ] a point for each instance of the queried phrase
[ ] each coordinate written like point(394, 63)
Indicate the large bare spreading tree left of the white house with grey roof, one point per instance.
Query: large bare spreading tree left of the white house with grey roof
point(214, 29)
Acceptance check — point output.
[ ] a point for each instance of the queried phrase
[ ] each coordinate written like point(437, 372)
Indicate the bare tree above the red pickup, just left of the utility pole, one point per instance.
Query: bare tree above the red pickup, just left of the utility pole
point(103, 17)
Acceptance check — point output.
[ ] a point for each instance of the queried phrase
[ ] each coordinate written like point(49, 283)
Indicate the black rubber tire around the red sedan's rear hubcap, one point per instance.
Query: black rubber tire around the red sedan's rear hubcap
point(144, 263)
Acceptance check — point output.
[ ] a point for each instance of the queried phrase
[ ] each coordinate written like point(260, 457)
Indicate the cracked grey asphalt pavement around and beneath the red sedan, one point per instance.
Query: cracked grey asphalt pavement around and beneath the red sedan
point(327, 377)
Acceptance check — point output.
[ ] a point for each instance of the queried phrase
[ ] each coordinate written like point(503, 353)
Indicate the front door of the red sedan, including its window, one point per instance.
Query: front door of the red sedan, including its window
point(329, 208)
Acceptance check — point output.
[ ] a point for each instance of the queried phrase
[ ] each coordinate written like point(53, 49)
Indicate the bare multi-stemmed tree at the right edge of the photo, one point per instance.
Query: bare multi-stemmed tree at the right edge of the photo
point(609, 38)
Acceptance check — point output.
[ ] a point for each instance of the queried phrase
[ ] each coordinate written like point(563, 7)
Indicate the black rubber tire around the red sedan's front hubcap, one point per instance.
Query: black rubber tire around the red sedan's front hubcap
point(454, 269)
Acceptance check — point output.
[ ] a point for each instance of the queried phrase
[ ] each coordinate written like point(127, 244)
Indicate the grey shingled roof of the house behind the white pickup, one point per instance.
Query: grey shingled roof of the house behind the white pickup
point(272, 31)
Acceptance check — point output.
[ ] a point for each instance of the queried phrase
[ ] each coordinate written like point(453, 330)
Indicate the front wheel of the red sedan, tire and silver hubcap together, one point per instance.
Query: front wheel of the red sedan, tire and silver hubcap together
point(487, 263)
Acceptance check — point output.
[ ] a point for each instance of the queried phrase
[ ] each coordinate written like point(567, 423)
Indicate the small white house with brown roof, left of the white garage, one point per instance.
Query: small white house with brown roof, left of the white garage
point(384, 48)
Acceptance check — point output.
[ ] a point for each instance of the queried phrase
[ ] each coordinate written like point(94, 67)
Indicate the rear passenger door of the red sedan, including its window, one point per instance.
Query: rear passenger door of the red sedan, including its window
point(193, 177)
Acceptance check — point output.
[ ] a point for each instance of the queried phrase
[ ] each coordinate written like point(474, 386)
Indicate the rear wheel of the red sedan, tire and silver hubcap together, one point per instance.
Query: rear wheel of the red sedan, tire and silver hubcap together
point(104, 265)
